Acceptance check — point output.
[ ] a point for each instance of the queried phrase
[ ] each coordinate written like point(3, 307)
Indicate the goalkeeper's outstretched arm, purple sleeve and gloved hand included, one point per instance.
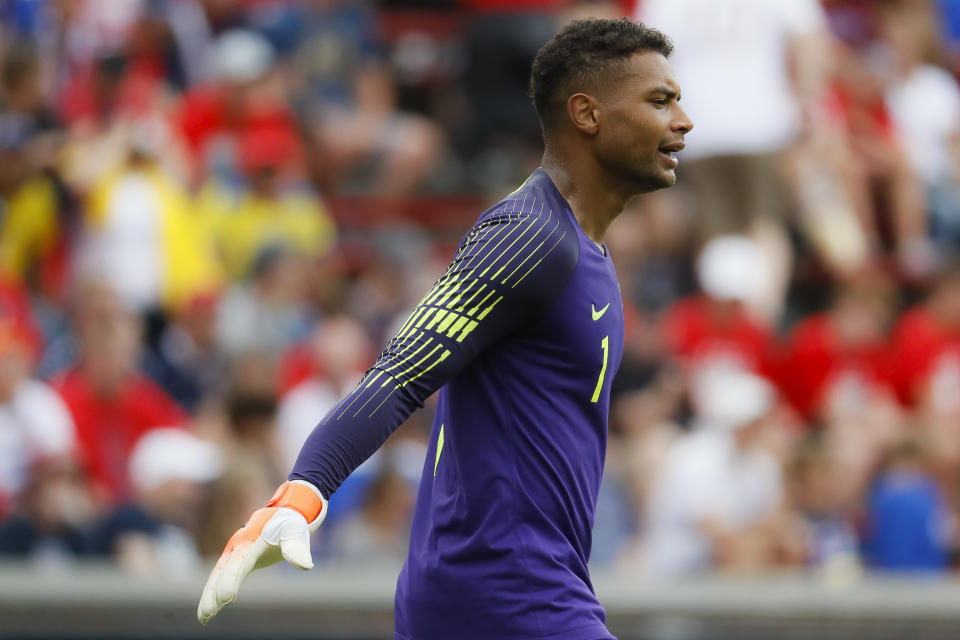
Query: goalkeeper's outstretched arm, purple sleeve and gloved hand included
point(508, 269)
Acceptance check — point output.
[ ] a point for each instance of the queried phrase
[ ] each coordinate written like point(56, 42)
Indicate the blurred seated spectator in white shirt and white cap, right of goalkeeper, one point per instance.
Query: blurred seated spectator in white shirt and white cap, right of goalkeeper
point(718, 497)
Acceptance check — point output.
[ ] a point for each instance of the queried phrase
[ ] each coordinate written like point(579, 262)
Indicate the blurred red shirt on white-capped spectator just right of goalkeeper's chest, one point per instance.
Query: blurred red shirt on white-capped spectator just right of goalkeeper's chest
point(700, 338)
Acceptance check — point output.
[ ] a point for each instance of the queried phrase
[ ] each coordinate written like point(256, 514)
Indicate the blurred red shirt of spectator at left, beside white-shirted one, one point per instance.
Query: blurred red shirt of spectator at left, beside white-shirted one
point(109, 427)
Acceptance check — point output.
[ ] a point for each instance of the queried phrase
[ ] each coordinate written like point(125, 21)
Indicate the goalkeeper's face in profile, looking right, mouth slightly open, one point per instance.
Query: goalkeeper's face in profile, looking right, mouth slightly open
point(641, 126)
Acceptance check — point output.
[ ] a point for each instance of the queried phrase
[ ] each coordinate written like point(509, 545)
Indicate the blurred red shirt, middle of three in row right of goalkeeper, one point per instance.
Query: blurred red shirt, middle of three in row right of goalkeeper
point(816, 367)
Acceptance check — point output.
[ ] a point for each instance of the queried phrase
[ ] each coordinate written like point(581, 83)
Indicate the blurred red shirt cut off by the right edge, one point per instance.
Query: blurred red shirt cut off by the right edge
point(928, 360)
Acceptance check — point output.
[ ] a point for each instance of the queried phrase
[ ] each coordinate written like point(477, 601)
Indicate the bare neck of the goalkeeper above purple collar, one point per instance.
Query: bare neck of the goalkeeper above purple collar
point(595, 199)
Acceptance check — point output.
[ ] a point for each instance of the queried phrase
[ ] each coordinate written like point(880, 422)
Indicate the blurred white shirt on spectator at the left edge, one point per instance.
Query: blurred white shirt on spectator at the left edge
point(35, 424)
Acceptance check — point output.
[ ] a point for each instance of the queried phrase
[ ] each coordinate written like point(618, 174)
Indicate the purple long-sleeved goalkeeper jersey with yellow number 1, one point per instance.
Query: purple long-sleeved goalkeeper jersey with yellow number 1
point(522, 336)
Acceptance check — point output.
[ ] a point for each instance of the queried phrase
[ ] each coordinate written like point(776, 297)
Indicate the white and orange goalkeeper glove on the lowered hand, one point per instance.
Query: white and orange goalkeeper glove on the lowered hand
point(281, 530)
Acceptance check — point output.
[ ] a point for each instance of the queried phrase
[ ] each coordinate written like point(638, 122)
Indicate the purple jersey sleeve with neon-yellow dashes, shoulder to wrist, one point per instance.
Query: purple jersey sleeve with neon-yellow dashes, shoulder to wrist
point(507, 270)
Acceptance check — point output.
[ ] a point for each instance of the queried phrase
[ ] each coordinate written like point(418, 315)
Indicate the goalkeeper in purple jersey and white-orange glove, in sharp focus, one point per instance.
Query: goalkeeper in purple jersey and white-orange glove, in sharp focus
point(523, 333)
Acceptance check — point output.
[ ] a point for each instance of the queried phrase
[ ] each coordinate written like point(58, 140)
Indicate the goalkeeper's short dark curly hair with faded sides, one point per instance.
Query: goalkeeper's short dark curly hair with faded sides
point(584, 53)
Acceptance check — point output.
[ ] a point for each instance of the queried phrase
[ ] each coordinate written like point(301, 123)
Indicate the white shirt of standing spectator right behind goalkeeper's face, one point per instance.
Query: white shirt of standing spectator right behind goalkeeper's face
point(730, 58)
